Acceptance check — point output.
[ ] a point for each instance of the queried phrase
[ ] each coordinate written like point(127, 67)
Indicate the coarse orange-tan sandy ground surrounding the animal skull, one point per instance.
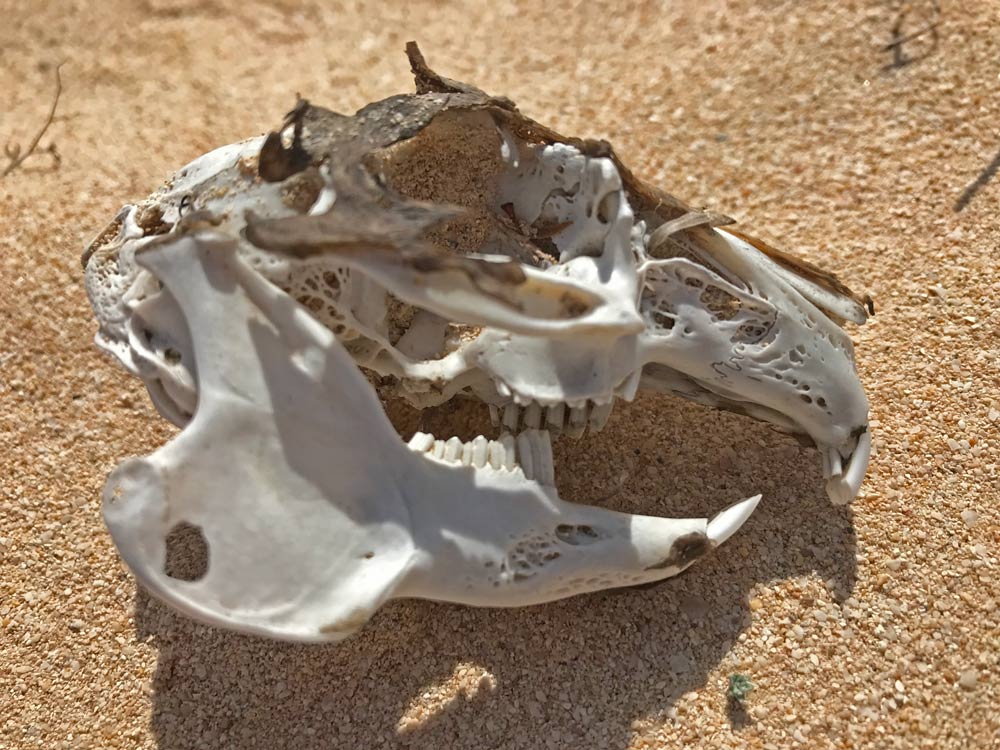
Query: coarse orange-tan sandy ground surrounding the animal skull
point(870, 627)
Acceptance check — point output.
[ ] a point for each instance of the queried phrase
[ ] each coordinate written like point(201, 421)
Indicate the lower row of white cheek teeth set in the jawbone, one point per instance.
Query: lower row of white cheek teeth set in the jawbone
point(530, 452)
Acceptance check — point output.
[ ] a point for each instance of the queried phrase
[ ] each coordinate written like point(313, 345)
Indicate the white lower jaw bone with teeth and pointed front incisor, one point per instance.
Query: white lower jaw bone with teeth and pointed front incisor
point(315, 513)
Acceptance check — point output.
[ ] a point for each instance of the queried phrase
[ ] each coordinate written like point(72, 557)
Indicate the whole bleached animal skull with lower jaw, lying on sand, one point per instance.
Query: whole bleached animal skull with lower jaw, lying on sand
point(453, 247)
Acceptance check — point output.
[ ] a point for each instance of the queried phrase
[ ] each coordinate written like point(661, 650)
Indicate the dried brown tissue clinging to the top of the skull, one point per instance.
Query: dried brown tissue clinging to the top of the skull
point(388, 221)
